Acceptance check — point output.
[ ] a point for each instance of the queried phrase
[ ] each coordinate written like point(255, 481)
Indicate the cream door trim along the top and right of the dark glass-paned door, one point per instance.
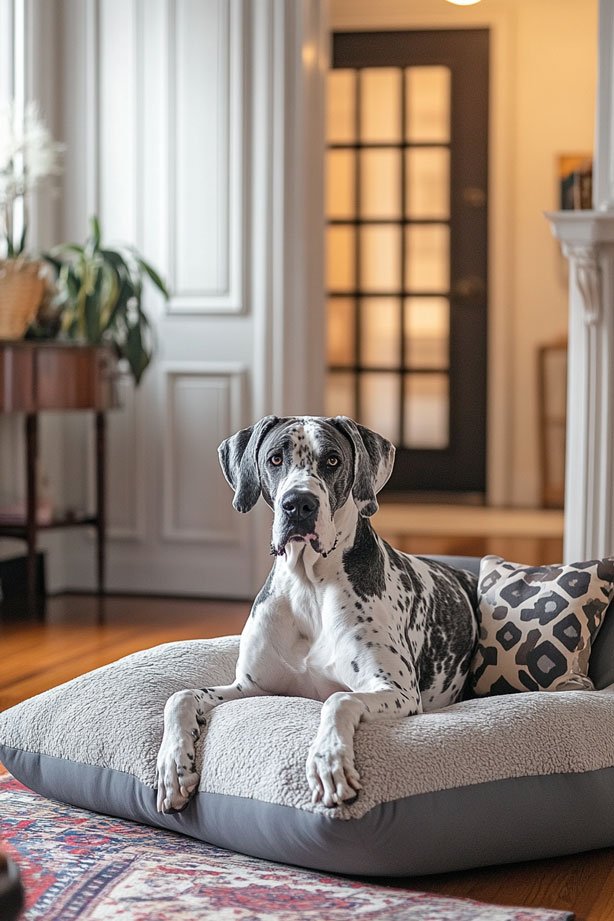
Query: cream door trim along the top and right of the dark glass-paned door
point(363, 15)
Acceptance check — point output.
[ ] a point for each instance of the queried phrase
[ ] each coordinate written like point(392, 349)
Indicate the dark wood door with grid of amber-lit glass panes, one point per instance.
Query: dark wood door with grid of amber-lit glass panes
point(407, 175)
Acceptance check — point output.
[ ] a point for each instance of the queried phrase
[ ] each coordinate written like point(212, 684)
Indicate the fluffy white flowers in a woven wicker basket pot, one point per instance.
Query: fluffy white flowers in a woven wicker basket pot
point(28, 155)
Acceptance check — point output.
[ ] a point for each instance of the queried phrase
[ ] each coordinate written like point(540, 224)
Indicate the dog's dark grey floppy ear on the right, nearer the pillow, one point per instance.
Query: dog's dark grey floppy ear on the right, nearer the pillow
point(373, 463)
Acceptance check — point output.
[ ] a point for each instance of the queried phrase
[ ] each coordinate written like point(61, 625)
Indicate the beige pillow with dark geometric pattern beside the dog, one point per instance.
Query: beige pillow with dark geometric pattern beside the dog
point(536, 625)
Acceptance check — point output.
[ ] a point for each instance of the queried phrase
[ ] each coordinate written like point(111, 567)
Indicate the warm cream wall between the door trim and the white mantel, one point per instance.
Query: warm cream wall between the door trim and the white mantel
point(555, 74)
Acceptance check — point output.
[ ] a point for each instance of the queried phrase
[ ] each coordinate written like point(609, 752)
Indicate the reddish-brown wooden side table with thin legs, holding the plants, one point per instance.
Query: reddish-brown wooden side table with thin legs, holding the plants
point(38, 376)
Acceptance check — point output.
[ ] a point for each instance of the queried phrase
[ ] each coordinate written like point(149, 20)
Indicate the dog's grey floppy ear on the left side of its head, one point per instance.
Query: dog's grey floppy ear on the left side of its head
point(239, 459)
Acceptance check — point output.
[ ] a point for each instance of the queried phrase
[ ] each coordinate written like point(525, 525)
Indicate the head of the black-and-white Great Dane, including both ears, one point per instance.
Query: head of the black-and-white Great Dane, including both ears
point(306, 468)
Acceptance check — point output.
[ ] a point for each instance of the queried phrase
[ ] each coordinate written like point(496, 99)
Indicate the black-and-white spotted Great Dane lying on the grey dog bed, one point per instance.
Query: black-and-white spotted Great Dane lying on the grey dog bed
point(342, 618)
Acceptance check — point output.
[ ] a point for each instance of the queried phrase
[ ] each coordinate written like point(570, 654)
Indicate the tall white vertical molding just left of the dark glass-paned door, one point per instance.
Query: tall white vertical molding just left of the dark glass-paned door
point(288, 51)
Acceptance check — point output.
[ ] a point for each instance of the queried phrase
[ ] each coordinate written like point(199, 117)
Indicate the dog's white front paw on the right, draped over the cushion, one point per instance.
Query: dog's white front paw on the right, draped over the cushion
point(332, 776)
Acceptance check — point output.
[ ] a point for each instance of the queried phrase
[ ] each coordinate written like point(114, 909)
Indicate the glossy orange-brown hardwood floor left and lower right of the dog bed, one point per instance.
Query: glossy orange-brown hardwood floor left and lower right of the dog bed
point(38, 656)
